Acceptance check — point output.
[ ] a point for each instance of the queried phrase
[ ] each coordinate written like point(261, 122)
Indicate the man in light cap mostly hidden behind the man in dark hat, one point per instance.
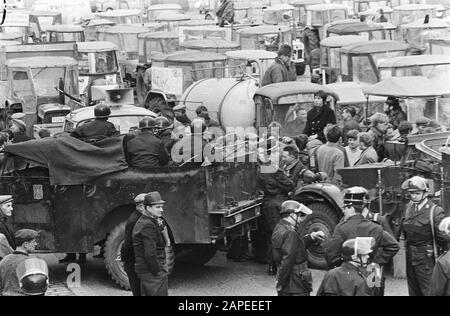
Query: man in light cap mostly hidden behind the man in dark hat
point(127, 251)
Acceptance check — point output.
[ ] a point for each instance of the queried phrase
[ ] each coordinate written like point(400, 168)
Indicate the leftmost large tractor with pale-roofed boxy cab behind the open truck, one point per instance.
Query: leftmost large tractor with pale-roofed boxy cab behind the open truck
point(33, 82)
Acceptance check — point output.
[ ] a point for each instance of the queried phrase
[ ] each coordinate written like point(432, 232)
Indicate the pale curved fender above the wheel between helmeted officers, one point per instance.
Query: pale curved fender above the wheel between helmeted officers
point(329, 192)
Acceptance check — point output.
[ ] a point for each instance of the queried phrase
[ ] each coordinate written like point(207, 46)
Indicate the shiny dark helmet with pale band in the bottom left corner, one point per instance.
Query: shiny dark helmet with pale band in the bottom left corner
point(33, 276)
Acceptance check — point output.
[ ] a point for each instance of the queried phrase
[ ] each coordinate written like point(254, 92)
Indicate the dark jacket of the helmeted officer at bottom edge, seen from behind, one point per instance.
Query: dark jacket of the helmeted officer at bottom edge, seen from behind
point(346, 280)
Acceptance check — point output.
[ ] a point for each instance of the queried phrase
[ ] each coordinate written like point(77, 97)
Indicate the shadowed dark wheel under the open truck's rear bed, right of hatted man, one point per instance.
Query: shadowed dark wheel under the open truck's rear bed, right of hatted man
point(195, 255)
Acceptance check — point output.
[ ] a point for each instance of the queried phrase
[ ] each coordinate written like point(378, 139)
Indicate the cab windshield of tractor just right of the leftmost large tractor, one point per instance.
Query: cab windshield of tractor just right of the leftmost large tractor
point(98, 63)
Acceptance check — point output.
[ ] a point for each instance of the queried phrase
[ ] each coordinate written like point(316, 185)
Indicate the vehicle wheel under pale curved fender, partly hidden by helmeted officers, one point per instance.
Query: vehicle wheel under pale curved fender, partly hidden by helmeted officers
point(323, 218)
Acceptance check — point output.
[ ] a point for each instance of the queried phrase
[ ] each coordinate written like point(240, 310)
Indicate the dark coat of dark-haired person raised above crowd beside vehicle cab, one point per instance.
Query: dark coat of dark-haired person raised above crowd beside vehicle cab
point(317, 120)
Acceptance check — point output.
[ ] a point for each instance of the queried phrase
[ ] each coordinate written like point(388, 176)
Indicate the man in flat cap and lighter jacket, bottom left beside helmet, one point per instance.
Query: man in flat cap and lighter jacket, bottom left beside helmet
point(26, 243)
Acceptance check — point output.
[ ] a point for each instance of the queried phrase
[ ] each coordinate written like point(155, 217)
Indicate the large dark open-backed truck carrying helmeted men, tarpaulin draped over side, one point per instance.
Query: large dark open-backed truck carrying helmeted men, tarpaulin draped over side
point(91, 205)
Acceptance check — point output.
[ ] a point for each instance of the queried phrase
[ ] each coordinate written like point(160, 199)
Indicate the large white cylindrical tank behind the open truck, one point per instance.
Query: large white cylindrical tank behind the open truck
point(228, 100)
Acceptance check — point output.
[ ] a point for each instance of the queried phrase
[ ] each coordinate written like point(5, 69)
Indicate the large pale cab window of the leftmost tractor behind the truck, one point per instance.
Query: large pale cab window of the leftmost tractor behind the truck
point(46, 79)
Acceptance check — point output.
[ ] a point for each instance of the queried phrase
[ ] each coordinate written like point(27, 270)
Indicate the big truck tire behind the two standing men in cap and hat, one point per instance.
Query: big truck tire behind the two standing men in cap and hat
point(113, 260)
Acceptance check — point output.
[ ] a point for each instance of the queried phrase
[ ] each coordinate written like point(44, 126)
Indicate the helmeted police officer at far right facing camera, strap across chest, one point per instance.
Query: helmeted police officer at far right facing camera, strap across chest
point(421, 231)
